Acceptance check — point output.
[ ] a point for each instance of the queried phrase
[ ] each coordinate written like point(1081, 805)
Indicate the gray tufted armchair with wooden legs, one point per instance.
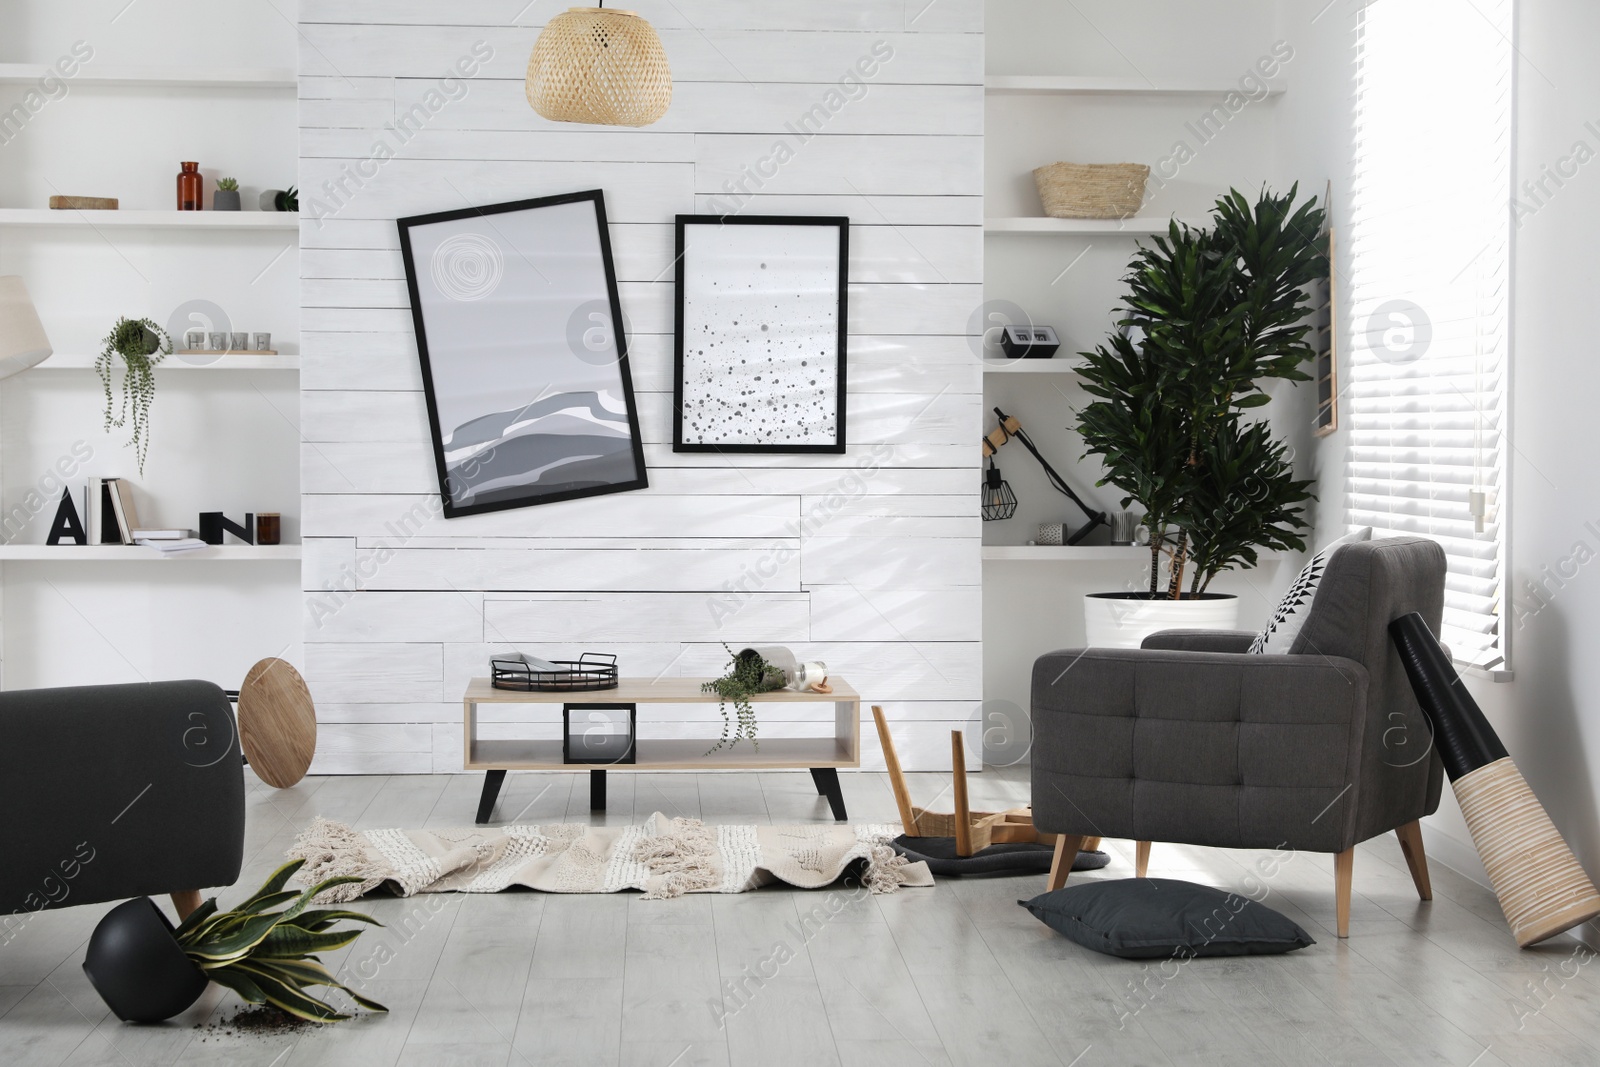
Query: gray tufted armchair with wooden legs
point(1191, 741)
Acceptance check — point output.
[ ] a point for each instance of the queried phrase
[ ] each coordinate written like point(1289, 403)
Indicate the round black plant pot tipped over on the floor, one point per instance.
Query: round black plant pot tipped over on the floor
point(138, 967)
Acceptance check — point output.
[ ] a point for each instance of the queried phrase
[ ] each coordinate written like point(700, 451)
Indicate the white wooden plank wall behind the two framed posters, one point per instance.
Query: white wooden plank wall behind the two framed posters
point(870, 561)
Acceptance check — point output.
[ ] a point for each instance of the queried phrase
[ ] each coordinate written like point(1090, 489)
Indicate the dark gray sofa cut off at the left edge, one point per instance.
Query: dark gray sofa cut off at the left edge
point(118, 791)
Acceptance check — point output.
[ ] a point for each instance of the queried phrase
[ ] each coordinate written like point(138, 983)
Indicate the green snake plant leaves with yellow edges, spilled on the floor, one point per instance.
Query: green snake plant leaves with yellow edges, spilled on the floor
point(270, 957)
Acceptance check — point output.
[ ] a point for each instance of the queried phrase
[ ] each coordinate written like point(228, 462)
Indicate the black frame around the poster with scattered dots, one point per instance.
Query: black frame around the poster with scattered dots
point(686, 263)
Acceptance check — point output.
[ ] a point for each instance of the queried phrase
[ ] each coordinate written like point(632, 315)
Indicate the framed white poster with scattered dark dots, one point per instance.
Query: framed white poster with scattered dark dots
point(761, 334)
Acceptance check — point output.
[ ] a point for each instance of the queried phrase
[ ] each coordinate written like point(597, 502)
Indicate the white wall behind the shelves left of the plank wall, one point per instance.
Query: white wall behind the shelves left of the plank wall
point(222, 441)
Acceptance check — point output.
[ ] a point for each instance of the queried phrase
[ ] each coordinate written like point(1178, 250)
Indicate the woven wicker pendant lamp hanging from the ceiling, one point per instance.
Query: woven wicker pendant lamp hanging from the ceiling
point(598, 66)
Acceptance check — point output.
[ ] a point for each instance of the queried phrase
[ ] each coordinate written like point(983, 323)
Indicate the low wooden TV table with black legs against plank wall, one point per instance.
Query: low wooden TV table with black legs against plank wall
point(822, 756)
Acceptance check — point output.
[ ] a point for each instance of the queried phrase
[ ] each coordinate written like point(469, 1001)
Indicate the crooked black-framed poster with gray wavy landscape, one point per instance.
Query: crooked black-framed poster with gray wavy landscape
point(524, 354)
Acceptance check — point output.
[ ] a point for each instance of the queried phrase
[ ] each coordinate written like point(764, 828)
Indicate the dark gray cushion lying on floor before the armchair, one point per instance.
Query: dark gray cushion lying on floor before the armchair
point(1145, 919)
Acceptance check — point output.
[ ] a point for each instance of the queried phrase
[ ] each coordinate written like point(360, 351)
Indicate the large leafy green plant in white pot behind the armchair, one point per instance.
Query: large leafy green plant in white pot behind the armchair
point(1210, 316)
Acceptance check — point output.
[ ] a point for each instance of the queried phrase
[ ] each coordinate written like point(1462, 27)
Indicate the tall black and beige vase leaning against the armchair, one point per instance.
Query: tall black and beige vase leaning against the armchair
point(1540, 885)
